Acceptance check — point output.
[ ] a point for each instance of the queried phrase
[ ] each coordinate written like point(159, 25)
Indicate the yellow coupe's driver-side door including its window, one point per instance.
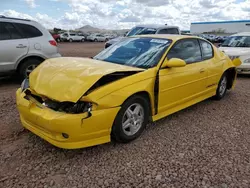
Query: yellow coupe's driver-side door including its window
point(179, 85)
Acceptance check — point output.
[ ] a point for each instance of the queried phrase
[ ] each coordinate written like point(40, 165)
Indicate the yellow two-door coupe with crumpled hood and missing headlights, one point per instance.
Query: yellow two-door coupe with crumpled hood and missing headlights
point(82, 102)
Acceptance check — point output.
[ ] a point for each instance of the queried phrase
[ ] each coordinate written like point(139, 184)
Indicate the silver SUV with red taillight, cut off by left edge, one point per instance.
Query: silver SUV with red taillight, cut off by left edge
point(24, 45)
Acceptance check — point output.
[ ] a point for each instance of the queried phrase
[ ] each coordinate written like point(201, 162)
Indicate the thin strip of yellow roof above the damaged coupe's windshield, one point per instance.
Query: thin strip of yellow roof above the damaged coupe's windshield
point(165, 36)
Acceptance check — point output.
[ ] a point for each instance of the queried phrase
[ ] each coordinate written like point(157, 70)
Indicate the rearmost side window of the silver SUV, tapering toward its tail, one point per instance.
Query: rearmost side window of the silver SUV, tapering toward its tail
point(29, 31)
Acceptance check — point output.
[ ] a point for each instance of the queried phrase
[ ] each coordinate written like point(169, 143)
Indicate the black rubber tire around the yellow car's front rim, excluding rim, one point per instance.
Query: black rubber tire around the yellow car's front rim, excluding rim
point(117, 132)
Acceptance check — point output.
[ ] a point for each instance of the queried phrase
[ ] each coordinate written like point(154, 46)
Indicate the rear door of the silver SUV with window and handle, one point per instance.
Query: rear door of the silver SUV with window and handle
point(13, 46)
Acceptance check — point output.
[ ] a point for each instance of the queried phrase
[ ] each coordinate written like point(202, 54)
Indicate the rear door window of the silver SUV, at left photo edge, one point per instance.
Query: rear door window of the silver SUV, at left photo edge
point(8, 31)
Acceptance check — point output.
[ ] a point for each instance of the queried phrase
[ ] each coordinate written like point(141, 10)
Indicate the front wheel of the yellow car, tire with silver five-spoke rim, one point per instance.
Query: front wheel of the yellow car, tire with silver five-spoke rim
point(126, 132)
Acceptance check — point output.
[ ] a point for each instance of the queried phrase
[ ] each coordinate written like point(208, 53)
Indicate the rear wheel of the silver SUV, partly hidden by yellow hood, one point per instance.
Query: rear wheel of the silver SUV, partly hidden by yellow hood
point(28, 66)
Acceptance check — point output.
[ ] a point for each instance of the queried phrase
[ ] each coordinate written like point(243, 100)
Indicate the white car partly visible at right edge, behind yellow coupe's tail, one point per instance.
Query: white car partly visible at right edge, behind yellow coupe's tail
point(238, 45)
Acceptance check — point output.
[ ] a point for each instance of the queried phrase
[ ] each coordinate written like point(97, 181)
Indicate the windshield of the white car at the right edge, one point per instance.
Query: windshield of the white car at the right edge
point(237, 41)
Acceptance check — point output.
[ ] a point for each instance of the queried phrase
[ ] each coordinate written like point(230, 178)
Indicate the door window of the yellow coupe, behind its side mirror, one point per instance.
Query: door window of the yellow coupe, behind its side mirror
point(187, 50)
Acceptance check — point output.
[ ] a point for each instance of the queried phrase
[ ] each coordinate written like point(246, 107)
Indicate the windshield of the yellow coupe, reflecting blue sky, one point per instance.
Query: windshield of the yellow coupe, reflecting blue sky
point(135, 52)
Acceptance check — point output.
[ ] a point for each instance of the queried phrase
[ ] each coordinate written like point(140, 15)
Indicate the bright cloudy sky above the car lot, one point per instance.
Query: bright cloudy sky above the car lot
point(124, 14)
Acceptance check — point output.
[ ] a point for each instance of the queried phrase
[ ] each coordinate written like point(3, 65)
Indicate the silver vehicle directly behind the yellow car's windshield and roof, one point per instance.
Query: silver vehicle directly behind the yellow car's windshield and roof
point(145, 30)
